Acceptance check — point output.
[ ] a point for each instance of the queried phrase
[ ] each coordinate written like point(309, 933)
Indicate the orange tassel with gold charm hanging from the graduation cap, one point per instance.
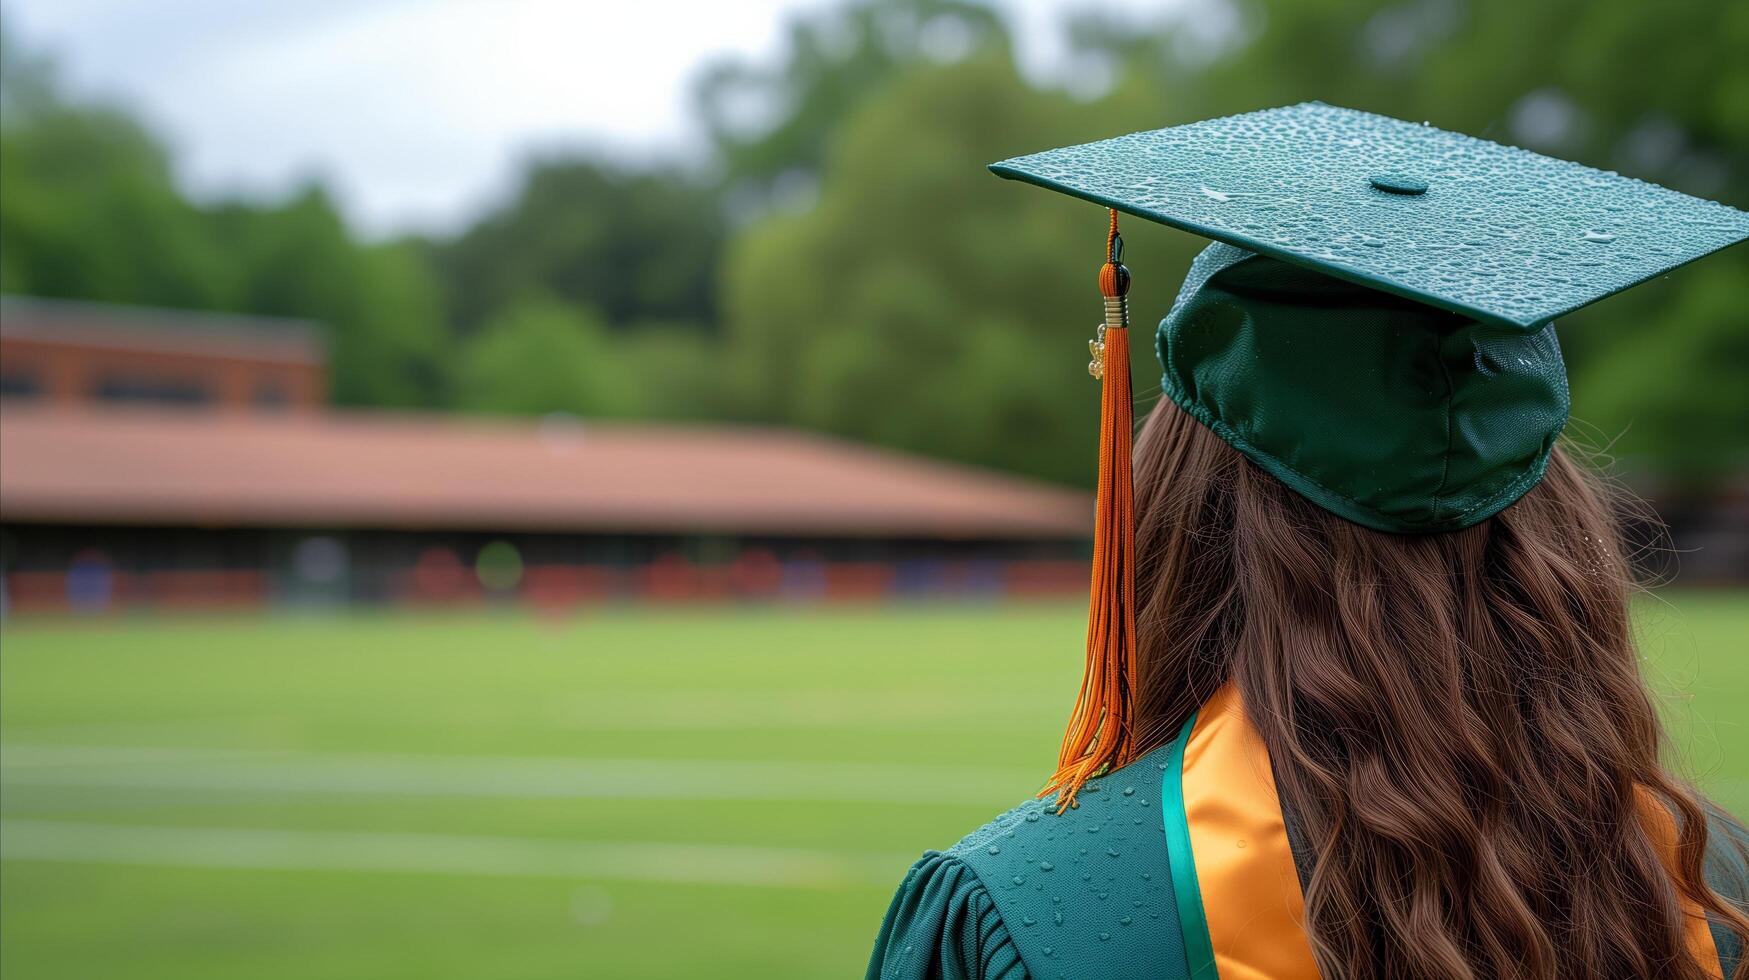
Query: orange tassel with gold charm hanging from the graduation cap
point(1101, 729)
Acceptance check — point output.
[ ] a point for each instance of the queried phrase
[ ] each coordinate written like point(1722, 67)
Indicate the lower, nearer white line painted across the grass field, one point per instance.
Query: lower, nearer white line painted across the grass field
point(443, 855)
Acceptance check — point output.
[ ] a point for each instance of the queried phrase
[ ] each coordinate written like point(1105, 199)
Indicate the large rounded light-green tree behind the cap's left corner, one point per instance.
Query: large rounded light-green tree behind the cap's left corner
point(923, 304)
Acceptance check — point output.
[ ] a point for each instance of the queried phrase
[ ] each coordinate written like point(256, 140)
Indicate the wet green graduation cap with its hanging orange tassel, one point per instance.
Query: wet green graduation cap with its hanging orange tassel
point(1374, 325)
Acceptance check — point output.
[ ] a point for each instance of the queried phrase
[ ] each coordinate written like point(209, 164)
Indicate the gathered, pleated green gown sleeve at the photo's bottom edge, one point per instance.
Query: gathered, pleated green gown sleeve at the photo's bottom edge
point(944, 927)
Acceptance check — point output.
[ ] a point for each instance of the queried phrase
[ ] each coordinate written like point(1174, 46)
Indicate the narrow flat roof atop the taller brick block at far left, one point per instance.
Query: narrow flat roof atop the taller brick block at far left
point(174, 332)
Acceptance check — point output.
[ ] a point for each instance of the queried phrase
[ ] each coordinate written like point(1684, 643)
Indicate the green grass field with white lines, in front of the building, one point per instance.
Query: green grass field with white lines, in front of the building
point(625, 794)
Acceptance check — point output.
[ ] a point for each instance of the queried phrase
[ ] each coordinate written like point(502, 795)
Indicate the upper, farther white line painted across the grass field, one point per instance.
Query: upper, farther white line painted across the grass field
point(529, 778)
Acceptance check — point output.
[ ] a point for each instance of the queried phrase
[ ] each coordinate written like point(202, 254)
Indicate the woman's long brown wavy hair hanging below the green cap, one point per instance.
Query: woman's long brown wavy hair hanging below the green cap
point(1458, 720)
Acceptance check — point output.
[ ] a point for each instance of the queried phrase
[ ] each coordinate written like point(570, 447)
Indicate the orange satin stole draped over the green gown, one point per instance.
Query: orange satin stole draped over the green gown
point(1246, 871)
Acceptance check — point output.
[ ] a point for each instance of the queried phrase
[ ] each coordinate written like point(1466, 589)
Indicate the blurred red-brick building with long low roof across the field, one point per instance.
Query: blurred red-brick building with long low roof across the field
point(181, 459)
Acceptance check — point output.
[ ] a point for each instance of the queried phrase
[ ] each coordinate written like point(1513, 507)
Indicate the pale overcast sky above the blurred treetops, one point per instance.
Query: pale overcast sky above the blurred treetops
point(415, 111)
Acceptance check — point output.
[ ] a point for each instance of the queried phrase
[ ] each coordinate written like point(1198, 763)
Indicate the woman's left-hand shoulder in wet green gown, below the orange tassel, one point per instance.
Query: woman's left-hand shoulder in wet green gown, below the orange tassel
point(1043, 893)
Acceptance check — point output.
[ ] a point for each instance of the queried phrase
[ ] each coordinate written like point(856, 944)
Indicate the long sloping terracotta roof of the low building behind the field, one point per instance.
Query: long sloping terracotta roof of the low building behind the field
point(429, 472)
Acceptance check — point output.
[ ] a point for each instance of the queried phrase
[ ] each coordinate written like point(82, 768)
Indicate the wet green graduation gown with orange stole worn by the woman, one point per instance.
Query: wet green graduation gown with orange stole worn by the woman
point(1118, 890)
